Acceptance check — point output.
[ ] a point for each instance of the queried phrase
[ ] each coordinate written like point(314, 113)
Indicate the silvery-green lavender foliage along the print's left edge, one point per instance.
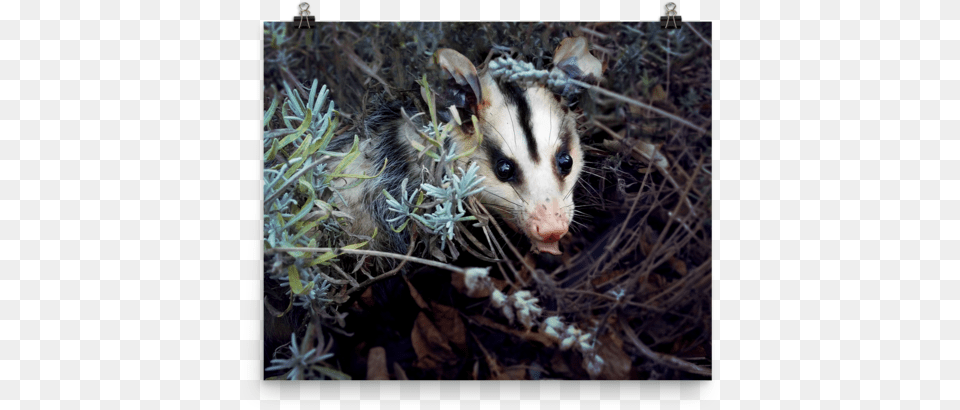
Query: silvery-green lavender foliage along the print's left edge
point(295, 181)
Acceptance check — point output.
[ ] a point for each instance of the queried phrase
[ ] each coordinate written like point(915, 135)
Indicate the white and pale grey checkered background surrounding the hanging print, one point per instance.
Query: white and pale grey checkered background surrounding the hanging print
point(129, 217)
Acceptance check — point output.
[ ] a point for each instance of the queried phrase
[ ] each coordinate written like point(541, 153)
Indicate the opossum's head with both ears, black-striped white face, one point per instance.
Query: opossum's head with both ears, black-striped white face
point(531, 155)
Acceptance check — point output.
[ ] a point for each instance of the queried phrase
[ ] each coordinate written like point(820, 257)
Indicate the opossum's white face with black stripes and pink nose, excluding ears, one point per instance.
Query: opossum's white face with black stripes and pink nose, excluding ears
point(531, 158)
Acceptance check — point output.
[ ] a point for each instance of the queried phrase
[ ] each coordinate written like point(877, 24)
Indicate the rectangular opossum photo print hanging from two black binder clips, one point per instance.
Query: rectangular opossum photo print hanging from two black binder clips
point(487, 201)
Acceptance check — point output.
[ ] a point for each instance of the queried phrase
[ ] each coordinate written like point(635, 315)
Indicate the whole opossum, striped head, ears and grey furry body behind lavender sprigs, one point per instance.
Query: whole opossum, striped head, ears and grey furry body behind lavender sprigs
point(530, 156)
